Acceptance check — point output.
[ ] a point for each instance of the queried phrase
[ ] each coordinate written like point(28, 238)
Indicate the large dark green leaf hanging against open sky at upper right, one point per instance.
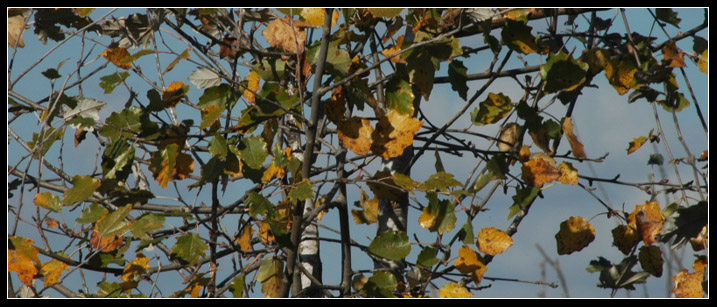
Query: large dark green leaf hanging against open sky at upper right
point(563, 73)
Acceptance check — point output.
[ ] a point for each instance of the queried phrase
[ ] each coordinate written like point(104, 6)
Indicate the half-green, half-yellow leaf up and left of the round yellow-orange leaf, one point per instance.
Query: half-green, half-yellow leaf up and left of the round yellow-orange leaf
point(438, 216)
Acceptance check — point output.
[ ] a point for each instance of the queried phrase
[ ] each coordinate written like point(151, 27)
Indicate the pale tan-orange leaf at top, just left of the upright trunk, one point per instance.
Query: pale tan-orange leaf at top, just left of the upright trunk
point(280, 34)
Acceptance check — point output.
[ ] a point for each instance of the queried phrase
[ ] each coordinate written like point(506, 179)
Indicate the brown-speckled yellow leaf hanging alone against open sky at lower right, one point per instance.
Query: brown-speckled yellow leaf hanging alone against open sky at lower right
point(574, 235)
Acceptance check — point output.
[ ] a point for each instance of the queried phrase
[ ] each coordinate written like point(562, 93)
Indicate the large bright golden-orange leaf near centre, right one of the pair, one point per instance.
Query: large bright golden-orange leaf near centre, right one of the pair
point(394, 132)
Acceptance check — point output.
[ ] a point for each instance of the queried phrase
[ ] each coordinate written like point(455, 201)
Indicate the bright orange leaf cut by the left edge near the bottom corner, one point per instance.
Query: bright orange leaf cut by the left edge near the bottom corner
point(22, 259)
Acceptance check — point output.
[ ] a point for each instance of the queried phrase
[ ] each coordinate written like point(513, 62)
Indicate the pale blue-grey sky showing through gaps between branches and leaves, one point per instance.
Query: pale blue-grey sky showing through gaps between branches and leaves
point(604, 121)
